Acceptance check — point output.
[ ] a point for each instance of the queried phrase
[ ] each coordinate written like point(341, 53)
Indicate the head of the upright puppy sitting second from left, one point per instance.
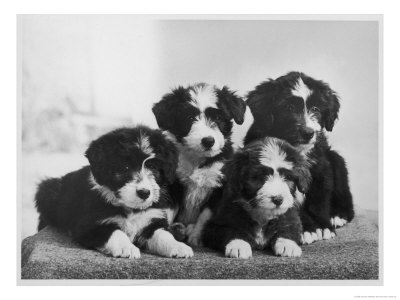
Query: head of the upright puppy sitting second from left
point(200, 117)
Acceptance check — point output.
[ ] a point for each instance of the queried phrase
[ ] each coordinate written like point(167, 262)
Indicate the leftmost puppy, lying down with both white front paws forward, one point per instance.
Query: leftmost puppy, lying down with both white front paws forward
point(120, 202)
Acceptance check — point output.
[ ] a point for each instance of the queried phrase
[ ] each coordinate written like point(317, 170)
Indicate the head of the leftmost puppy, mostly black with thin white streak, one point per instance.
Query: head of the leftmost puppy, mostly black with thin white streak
point(131, 165)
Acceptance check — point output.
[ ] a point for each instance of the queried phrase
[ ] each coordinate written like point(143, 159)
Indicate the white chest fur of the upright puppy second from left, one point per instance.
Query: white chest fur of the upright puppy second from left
point(199, 183)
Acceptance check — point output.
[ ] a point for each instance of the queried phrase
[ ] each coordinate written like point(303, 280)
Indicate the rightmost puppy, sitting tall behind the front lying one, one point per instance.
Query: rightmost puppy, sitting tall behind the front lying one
point(298, 109)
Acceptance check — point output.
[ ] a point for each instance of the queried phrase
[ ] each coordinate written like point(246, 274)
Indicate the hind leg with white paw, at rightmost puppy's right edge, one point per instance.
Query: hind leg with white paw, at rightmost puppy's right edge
point(342, 201)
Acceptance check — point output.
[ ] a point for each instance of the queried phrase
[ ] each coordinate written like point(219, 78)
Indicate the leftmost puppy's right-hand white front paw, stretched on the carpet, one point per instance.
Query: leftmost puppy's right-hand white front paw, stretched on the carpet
point(163, 243)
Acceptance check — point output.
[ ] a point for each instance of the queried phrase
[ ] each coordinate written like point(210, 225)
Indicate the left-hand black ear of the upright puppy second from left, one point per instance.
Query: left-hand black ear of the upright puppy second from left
point(163, 110)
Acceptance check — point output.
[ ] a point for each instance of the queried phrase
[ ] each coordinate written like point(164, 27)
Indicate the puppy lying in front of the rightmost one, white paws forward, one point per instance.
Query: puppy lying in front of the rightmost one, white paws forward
point(259, 207)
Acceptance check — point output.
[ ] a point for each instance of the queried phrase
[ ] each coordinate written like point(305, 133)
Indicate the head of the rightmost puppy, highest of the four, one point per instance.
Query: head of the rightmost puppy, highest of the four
point(294, 107)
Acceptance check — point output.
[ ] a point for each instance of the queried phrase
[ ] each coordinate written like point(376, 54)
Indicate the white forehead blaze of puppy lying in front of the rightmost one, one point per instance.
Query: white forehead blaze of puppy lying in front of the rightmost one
point(272, 156)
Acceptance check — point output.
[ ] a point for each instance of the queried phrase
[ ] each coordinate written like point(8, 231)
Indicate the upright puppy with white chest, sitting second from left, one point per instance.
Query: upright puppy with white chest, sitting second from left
point(199, 120)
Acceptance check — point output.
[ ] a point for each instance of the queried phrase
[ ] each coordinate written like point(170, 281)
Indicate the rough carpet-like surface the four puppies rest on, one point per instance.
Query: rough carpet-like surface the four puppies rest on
point(353, 254)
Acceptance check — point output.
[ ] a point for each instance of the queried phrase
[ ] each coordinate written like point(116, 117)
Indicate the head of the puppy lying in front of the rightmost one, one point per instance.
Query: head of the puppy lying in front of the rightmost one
point(265, 175)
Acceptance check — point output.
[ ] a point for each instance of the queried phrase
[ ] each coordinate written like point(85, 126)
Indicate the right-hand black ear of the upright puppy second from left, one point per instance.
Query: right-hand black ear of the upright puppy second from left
point(232, 105)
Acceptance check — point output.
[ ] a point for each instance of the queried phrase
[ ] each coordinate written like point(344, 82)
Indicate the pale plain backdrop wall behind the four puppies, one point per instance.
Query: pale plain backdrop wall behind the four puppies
point(119, 66)
